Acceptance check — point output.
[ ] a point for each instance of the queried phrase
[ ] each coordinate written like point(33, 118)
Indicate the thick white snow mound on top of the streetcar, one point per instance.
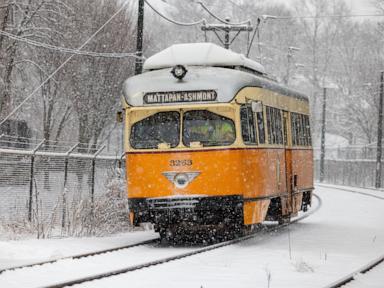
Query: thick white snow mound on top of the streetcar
point(200, 54)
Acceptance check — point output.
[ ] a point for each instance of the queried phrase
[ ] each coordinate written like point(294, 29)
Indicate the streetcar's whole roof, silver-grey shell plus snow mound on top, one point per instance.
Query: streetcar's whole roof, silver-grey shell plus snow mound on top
point(207, 71)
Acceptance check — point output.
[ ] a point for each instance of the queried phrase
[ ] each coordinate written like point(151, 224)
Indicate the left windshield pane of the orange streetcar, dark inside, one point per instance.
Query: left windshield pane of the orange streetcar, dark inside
point(162, 127)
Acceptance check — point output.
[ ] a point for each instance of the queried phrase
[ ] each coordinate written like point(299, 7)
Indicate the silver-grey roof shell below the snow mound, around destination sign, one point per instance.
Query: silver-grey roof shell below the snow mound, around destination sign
point(226, 82)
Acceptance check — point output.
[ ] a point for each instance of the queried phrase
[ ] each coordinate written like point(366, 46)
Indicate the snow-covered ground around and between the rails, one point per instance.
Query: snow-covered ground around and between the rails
point(345, 234)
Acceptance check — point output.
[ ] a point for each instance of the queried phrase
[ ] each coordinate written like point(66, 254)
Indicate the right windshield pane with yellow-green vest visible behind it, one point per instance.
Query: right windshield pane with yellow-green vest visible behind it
point(208, 128)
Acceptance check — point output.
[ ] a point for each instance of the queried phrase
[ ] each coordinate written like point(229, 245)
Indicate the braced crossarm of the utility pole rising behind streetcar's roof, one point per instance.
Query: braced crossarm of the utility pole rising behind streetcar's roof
point(227, 28)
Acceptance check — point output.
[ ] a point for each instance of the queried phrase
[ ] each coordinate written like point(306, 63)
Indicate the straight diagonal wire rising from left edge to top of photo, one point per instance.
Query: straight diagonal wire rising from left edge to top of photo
point(63, 64)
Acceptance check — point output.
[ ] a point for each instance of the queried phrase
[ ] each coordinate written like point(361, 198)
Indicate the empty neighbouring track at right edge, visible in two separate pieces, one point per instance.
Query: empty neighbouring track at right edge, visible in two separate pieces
point(369, 266)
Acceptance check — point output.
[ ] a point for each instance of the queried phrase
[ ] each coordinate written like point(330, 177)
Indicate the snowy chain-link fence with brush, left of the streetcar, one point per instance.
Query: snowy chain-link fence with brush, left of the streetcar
point(63, 189)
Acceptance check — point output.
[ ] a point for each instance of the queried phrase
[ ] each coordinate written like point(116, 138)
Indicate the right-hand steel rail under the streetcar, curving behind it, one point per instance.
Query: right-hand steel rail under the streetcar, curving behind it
point(181, 256)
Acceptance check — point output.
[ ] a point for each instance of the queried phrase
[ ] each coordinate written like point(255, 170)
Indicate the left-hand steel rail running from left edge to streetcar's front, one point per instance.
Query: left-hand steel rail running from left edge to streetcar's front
point(84, 255)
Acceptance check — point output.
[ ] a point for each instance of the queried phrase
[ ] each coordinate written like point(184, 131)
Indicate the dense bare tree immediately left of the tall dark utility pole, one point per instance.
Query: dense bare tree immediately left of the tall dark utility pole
point(94, 84)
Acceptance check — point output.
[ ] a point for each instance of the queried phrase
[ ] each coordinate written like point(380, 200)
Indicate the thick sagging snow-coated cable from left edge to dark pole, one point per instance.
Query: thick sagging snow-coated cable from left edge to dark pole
point(68, 50)
